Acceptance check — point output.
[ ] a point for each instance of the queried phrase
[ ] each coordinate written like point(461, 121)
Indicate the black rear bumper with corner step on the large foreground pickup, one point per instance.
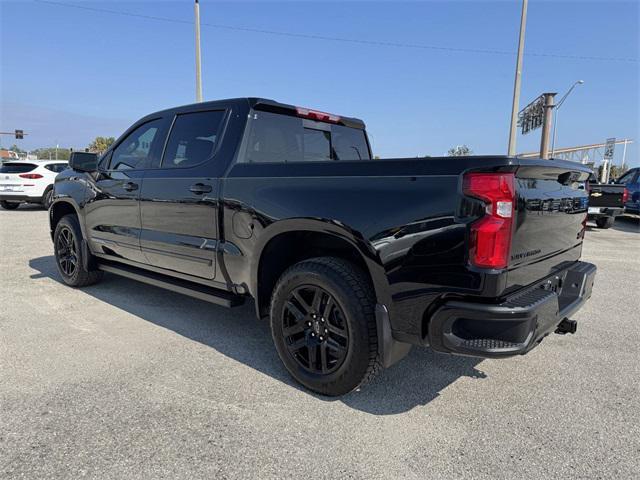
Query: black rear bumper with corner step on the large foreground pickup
point(516, 325)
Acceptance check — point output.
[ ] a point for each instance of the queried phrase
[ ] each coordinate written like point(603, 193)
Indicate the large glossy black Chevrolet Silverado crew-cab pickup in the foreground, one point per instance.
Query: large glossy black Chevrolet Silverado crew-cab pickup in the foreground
point(352, 259)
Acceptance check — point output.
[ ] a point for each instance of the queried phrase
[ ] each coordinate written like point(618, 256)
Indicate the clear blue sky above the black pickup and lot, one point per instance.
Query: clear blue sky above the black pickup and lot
point(69, 74)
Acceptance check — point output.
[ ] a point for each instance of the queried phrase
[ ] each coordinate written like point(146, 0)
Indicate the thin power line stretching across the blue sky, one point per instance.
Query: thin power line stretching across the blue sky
point(310, 36)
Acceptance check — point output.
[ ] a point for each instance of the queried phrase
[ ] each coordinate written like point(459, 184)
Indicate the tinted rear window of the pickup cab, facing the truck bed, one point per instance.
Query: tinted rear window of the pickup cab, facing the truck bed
point(274, 138)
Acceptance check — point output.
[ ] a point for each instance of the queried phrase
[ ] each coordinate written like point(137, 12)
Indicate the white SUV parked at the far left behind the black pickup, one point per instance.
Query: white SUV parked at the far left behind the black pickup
point(28, 181)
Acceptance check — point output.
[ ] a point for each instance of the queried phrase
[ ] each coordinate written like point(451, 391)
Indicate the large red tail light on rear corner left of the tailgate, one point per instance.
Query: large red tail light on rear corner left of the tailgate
point(490, 237)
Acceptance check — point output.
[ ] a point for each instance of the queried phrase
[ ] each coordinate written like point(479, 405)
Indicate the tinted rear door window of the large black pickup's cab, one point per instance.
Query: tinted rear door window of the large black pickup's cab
point(193, 139)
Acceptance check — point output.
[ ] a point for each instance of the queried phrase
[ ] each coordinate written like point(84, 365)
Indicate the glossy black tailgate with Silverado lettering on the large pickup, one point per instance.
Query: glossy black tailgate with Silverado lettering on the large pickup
point(549, 221)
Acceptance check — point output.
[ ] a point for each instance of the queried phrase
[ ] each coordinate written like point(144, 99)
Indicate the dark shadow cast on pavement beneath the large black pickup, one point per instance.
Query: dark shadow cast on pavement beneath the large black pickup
point(238, 334)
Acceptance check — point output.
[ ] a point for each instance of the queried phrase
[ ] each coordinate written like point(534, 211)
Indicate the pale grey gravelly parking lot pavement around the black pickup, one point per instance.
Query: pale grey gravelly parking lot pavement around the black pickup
point(123, 380)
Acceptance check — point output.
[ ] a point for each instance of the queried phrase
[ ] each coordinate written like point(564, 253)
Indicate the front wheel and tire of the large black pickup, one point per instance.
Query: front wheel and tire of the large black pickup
point(70, 261)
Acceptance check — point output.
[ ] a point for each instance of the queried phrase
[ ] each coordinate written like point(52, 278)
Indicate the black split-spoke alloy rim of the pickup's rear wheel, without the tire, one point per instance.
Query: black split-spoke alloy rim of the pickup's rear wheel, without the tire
point(315, 330)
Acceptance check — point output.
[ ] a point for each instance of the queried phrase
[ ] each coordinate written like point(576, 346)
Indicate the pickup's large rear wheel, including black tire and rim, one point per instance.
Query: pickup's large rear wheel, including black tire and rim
point(323, 325)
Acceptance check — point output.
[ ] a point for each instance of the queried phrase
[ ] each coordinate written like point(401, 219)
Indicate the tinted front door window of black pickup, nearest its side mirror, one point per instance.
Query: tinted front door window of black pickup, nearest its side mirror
point(134, 151)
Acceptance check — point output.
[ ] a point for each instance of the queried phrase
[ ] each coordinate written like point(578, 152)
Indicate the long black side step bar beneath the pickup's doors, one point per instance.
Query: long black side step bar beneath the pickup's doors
point(202, 292)
